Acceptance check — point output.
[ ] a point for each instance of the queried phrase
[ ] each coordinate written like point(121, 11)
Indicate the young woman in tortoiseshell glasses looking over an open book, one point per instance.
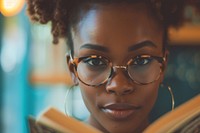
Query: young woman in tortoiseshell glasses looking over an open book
point(117, 55)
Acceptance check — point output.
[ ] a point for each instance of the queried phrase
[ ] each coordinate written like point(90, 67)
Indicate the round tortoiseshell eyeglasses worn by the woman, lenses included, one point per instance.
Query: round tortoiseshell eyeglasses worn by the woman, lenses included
point(95, 70)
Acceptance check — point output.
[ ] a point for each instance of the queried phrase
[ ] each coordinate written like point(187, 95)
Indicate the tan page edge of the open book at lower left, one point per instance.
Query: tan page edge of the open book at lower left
point(59, 121)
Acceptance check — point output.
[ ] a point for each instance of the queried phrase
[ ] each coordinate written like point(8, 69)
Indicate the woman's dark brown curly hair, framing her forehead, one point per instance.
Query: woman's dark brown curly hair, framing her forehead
point(63, 14)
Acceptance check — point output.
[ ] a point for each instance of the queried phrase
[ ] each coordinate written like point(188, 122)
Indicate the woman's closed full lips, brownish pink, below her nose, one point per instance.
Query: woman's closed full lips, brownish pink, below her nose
point(120, 111)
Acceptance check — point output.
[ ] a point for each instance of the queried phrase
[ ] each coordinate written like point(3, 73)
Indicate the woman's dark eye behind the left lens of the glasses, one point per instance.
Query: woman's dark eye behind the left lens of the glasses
point(95, 62)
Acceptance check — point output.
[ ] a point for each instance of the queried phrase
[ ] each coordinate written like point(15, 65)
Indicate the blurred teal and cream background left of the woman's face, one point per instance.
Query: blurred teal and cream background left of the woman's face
point(33, 74)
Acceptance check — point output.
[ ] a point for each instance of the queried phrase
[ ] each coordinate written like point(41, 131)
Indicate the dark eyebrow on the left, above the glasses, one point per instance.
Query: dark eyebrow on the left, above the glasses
point(95, 47)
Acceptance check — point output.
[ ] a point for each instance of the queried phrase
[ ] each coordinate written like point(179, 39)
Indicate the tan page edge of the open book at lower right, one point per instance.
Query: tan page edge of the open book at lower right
point(177, 117)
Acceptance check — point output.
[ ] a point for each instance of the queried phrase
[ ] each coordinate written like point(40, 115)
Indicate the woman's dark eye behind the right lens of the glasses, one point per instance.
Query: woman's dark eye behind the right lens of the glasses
point(142, 60)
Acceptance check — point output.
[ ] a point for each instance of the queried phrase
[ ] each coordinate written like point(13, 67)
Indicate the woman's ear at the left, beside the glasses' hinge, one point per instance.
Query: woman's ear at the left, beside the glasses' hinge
point(72, 70)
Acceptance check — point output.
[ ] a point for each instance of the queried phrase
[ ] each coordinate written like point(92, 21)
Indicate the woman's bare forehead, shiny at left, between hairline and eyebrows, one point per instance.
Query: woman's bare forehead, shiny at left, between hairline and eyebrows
point(118, 25)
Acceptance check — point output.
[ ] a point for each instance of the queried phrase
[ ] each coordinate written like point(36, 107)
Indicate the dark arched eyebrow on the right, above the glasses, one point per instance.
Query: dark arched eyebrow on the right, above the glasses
point(139, 45)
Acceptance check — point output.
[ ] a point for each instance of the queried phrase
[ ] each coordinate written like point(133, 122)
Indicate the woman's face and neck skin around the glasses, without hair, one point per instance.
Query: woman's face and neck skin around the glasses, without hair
point(119, 32)
